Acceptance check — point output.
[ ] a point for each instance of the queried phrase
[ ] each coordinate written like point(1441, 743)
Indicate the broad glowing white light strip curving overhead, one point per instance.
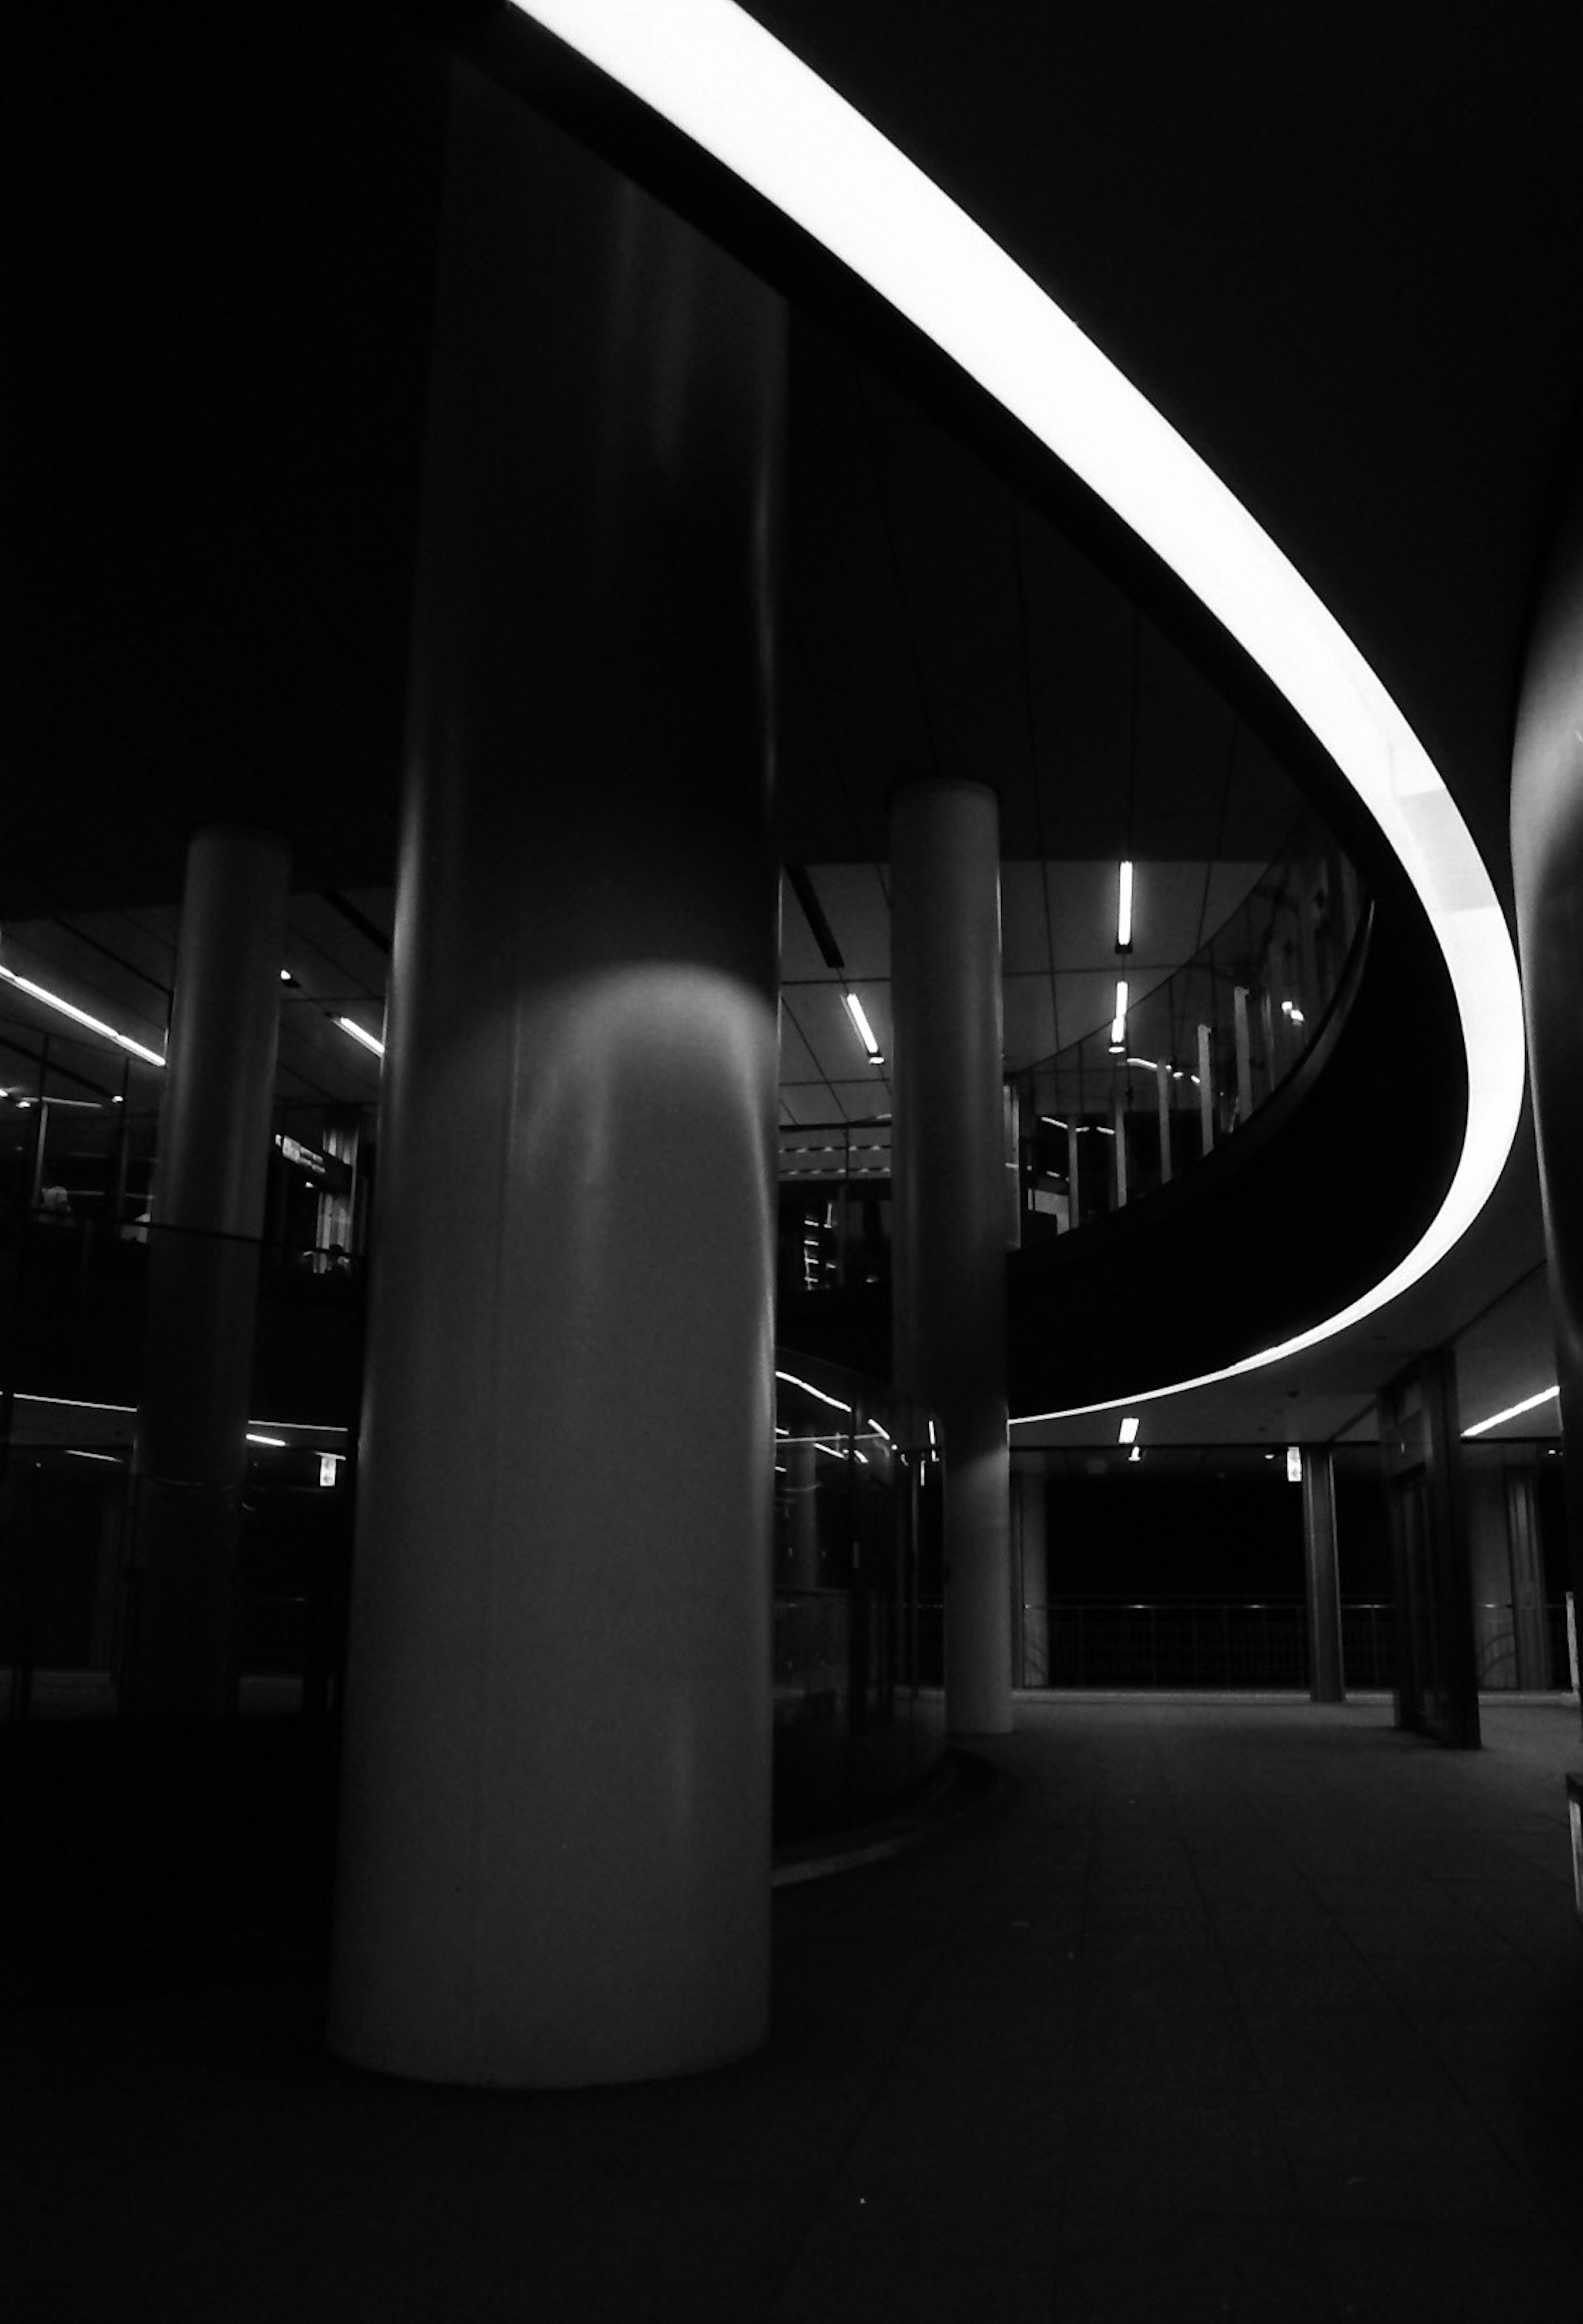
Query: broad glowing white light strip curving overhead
point(754, 106)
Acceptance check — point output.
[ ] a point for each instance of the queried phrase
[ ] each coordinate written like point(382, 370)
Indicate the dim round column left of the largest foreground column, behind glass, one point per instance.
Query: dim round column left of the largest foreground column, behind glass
point(203, 1277)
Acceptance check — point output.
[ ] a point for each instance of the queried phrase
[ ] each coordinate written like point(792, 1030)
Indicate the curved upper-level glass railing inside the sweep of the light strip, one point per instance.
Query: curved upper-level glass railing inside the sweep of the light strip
point(1143, 1098)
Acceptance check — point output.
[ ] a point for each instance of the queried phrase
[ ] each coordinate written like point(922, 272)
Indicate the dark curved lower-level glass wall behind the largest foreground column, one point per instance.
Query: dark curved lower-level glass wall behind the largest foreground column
point(857, 1533)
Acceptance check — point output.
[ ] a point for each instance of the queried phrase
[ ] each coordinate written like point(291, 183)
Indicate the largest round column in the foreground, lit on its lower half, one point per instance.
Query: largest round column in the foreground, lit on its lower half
point(557, 1795)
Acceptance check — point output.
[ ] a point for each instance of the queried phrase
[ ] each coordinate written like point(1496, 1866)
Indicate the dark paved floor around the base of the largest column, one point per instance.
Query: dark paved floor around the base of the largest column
point(1226, 2011)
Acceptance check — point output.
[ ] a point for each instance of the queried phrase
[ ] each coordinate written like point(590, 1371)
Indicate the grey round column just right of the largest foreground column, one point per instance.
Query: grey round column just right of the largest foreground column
point(950, 1210)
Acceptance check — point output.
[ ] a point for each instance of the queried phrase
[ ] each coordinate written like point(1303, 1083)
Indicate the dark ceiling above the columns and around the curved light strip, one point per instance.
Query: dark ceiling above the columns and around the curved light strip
point(1333, 245)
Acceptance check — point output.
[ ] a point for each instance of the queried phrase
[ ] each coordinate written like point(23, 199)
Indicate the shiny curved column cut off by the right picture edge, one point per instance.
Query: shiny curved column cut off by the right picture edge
point(1547, 861)
